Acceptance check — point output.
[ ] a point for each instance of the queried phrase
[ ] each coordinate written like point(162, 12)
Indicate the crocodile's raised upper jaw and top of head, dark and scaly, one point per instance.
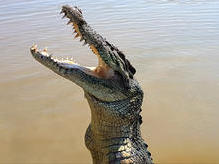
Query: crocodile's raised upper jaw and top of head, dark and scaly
point(109, 56)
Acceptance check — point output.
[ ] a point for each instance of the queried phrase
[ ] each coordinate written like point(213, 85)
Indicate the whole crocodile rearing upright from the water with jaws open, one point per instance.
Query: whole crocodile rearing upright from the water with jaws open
point(113, 94)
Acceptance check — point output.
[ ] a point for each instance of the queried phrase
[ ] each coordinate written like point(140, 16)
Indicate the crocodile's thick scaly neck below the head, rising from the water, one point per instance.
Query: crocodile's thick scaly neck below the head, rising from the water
point(110, 138)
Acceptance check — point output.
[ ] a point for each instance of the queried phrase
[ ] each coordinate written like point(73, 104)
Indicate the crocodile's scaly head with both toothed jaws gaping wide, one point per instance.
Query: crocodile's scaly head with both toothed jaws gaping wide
point(111, 80)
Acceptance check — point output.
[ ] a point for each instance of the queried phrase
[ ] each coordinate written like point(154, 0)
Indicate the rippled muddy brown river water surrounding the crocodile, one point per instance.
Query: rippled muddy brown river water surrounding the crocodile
point(174, 46)
